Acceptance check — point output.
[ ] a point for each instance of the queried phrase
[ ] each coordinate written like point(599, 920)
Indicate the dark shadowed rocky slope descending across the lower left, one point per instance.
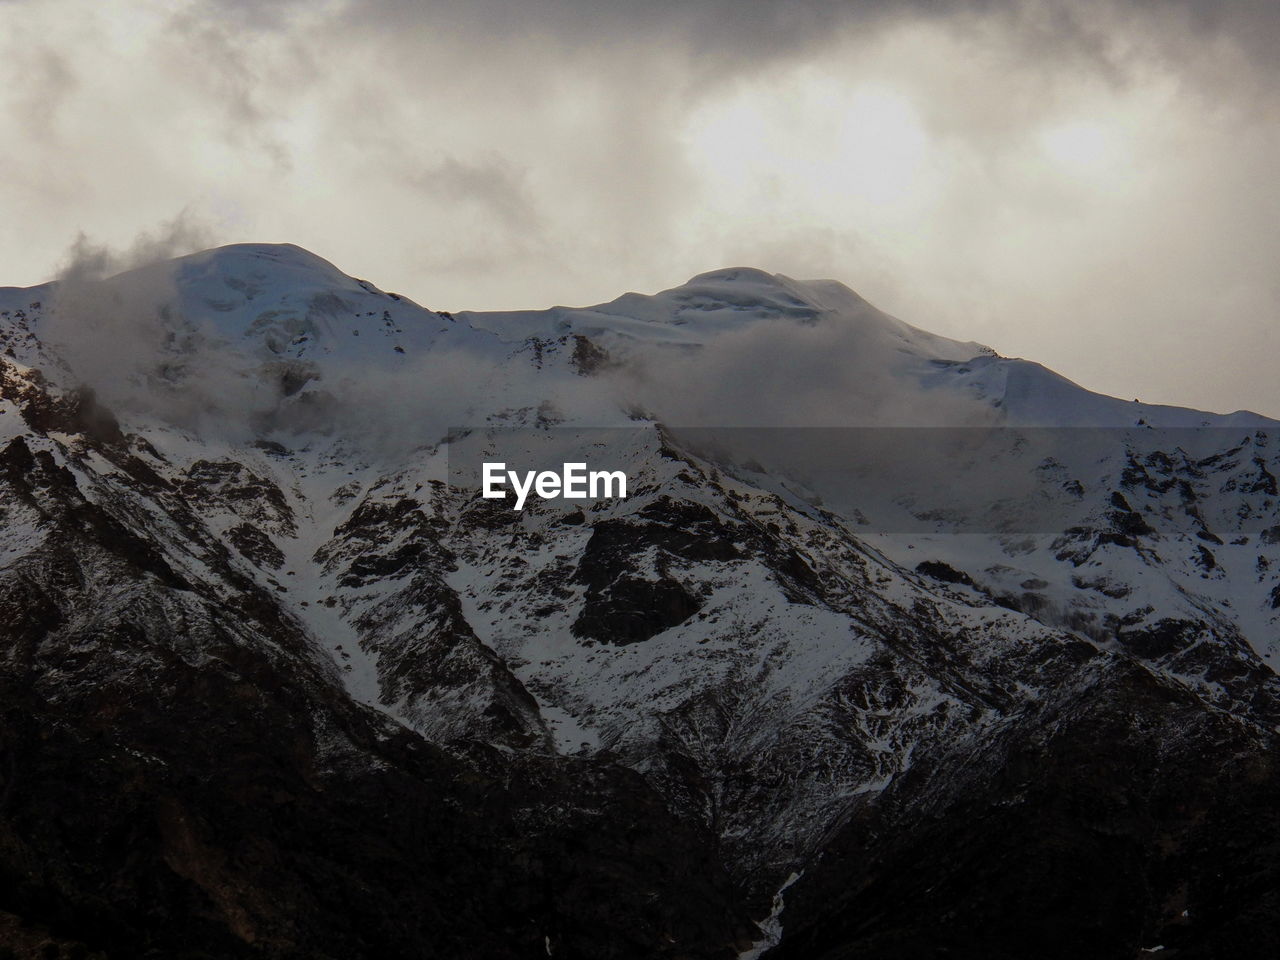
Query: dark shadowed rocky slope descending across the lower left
point(182, 776)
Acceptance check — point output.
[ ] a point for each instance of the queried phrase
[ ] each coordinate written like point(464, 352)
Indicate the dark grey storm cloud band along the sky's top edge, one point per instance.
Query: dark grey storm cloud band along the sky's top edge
point(737, 34)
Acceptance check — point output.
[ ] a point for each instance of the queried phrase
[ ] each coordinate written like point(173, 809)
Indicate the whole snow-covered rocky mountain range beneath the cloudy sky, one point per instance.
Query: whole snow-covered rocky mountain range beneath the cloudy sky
point(895, 648)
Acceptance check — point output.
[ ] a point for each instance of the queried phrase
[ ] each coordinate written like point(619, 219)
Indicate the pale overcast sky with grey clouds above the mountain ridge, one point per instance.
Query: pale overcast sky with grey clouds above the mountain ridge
point(1095, 186)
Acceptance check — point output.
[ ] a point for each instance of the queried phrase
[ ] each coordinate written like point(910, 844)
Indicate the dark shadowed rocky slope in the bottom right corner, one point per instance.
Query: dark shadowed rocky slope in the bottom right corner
point(1110, 811)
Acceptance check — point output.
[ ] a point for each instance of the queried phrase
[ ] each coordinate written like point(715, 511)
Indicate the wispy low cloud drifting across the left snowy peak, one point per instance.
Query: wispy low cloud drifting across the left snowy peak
point(121, 322)
